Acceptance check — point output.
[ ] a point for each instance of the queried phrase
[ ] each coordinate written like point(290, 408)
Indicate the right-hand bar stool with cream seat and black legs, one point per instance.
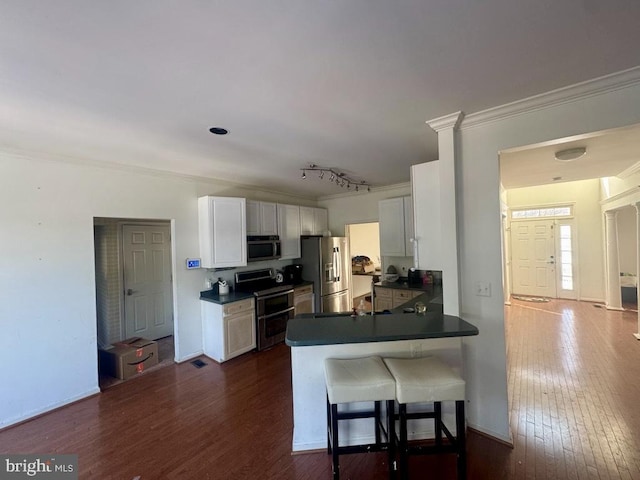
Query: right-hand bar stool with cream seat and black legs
point(422, 380)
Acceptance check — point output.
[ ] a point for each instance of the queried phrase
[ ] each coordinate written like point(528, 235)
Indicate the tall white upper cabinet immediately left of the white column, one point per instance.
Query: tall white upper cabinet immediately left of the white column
point(425, 187)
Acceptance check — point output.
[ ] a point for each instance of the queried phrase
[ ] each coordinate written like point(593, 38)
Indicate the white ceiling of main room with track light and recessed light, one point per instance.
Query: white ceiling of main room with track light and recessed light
point(345, 84)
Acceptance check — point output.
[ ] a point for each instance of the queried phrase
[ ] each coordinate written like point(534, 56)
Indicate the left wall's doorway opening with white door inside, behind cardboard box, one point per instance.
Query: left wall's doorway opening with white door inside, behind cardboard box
point(133, 269)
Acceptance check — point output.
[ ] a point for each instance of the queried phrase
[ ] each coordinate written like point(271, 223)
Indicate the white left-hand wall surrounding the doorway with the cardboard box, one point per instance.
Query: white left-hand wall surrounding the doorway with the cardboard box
point(47, 279)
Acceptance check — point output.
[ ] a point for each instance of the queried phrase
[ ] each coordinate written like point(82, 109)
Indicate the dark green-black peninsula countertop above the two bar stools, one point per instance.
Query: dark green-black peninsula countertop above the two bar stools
point(309, 330)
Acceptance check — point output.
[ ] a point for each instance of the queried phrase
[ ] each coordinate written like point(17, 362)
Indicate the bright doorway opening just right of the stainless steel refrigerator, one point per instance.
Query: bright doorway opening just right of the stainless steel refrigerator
point(364, 244)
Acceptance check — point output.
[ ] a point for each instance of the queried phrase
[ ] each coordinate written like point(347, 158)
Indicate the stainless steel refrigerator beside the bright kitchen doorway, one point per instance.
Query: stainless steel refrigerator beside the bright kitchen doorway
point(327, 263)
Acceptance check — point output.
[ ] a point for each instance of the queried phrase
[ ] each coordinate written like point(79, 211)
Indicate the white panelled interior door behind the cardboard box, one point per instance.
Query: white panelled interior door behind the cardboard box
point(148, 304)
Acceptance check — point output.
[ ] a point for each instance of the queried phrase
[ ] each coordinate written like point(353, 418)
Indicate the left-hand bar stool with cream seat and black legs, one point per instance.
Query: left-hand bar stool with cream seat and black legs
point(359, 380)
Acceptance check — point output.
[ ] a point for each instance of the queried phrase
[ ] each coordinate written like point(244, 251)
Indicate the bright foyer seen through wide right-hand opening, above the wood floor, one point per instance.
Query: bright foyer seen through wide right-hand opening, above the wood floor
point(587, 207)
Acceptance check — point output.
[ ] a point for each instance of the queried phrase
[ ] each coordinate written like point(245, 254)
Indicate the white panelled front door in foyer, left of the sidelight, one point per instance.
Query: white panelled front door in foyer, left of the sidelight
point(533, 258)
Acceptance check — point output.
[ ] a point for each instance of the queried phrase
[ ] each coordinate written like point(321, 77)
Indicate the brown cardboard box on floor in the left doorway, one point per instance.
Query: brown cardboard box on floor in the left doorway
point(129, 358)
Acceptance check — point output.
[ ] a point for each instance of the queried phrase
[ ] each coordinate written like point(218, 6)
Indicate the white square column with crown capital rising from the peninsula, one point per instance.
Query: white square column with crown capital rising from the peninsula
point(445, 128)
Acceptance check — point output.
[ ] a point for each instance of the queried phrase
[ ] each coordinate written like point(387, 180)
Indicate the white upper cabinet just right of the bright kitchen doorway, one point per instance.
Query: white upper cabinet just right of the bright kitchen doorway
point(395, 217)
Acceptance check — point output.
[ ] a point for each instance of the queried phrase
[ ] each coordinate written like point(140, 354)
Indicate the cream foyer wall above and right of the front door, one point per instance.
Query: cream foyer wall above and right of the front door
point(586, 197)
